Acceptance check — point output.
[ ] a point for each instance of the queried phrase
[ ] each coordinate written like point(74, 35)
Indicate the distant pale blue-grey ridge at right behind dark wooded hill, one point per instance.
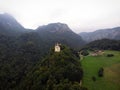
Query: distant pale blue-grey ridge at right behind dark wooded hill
point(113, 33)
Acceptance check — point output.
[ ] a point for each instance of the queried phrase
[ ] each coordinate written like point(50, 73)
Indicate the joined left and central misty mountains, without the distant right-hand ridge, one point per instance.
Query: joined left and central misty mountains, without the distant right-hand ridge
point(51, 33)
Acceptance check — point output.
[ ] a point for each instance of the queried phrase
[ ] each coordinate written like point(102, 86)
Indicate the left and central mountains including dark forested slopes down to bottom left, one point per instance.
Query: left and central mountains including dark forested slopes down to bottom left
point(21, 49)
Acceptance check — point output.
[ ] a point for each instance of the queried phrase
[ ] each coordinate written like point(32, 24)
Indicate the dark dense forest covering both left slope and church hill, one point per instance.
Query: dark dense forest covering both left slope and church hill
point(23, 68)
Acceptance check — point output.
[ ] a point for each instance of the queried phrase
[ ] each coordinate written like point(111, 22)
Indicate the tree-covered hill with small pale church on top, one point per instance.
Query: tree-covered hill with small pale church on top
point(57, 71)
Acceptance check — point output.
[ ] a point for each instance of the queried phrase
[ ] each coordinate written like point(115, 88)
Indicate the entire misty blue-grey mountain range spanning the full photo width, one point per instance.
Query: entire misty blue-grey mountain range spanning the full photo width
point(55, 32)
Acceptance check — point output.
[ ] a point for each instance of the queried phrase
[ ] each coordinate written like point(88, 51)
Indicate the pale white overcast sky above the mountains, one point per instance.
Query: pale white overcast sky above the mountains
point(80, 15)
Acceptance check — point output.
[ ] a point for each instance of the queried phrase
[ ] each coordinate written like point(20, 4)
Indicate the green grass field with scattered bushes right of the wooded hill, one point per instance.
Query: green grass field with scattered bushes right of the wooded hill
point(111, 65)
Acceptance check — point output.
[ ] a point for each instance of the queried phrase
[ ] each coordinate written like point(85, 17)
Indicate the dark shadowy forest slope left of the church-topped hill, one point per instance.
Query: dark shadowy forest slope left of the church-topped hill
point(16, 60)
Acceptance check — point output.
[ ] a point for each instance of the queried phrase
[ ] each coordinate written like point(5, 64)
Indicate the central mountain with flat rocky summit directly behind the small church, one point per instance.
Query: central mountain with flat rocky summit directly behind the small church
point(59, 32)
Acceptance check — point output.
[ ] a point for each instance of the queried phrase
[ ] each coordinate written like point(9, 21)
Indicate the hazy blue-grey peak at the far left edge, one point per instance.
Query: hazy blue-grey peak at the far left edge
point(9, 26)
